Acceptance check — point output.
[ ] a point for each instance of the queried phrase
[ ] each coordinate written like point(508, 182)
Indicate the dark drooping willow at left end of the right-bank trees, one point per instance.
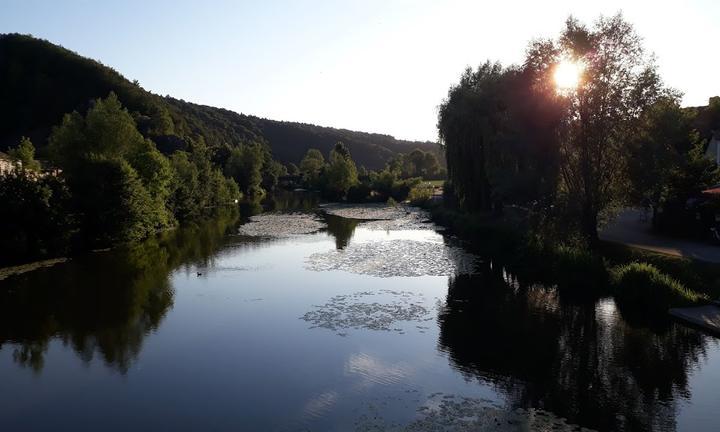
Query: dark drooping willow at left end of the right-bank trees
point(467, 123)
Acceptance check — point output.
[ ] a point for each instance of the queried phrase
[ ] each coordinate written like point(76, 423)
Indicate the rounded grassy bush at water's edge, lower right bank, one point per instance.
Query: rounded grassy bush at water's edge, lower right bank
point(641, 283)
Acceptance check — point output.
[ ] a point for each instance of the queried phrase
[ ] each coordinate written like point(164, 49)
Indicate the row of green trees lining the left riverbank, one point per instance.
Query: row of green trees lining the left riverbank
point(105, 184)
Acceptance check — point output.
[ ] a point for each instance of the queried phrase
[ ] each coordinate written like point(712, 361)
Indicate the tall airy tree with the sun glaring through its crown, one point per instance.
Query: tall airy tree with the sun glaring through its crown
point(616, 82)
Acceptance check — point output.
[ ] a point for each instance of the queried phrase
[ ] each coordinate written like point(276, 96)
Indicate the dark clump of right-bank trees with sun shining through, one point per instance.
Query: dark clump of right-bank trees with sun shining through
point(575, 155)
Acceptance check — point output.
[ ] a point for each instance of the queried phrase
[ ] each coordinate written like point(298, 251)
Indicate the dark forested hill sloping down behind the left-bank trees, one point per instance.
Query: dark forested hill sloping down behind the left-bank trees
point(41, 81)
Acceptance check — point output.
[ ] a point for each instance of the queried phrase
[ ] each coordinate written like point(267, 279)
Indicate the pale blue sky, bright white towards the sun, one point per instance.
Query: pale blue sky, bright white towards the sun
point(373, 65)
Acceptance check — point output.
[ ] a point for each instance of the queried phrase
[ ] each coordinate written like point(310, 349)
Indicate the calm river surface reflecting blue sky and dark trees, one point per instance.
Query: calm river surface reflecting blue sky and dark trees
point(205, 329)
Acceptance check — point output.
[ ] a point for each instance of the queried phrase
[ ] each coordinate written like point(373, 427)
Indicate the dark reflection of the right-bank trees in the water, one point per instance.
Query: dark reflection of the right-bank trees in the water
point(580, 361)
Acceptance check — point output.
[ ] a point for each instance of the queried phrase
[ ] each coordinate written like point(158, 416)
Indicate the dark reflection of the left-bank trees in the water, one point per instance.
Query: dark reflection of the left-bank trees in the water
point(102, 304)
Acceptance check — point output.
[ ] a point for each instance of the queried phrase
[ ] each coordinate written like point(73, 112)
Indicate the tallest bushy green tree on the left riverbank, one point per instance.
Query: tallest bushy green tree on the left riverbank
point(118, 179)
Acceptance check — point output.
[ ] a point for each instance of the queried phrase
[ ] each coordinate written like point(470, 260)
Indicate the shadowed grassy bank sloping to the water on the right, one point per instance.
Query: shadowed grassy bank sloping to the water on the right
point(630, 275)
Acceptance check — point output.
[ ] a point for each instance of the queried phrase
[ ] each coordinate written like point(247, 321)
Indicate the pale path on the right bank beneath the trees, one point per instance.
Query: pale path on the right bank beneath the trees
point(632, 229)
